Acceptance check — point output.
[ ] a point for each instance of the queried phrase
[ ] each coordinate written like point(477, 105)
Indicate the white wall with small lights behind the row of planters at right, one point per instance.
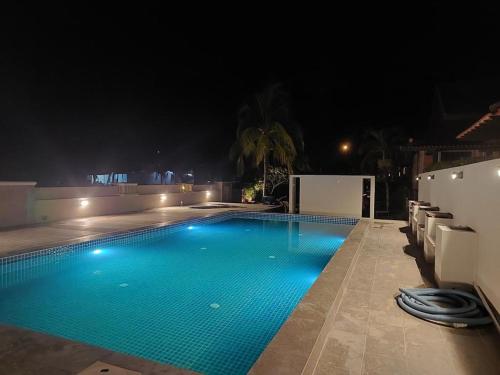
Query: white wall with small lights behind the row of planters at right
point(473, 201)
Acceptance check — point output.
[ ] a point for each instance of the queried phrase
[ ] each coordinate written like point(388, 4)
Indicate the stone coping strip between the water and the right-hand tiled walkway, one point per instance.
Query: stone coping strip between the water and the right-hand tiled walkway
point(296, 348)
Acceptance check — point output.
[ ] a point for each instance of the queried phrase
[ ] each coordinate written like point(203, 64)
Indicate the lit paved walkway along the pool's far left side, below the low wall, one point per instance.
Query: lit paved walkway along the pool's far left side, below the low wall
point(41, 236)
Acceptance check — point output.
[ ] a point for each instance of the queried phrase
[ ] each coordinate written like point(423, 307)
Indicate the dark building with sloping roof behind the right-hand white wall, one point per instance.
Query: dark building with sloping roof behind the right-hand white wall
point(459, 130)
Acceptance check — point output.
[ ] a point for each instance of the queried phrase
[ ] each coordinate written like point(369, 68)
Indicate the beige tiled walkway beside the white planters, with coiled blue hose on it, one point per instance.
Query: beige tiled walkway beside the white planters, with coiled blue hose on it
point(370, 334)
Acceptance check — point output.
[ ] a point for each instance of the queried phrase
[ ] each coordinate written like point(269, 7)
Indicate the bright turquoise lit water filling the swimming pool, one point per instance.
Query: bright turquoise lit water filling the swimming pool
point(208, 297)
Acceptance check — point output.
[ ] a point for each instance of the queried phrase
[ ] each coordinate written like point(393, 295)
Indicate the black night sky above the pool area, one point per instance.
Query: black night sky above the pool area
point(92, 89)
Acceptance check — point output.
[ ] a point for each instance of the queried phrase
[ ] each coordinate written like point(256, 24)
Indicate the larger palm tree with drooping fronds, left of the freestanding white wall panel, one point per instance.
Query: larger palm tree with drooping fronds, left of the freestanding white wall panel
point(262, 135)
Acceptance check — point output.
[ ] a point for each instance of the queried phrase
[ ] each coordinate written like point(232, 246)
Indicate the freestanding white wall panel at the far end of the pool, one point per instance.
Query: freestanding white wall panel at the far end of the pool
point(332, 195)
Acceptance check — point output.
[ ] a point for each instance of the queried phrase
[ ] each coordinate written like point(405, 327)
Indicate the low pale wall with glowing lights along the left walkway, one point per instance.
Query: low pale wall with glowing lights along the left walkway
point(21, 203)
